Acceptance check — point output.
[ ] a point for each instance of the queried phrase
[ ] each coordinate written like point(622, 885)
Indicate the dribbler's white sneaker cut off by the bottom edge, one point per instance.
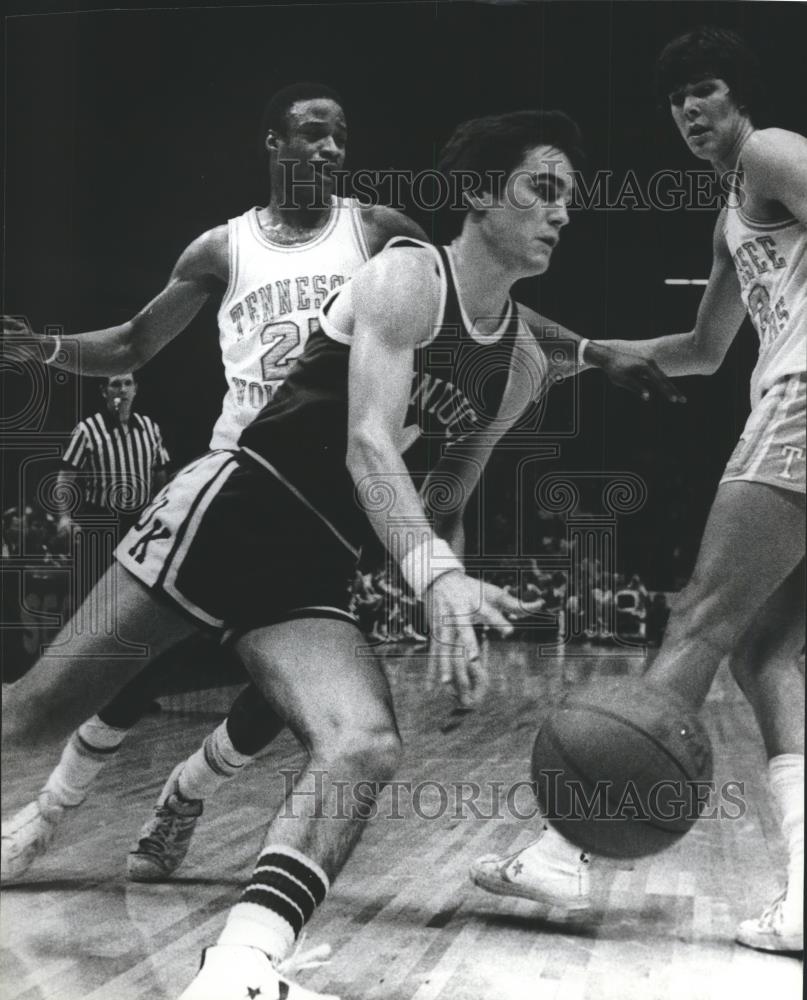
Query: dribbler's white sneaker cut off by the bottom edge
point(235, 972)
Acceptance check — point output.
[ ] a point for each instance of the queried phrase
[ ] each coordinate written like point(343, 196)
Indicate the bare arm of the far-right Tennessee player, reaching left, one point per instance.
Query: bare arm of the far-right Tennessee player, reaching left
point(701, 350)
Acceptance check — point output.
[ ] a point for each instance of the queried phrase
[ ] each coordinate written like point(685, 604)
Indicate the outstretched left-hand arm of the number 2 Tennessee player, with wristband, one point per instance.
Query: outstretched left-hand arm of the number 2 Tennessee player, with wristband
point(200, 271)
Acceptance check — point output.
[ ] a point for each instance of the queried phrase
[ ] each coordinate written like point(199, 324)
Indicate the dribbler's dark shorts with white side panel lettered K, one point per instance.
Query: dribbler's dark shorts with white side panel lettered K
point(231, 546)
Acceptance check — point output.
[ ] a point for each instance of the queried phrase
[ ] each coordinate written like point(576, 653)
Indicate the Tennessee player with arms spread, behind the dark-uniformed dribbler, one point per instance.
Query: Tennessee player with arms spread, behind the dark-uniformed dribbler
point(272, 268)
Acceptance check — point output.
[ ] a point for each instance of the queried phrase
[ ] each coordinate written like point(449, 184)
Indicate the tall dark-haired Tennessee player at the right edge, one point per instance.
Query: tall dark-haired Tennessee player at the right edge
point(746, 597)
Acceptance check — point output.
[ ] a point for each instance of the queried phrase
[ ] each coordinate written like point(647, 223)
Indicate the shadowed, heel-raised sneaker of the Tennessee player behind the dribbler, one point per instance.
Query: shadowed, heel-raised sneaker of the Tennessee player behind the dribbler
point(166, 836)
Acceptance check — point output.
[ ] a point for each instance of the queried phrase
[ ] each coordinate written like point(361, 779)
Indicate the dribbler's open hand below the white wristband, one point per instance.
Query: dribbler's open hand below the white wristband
point(455, 603)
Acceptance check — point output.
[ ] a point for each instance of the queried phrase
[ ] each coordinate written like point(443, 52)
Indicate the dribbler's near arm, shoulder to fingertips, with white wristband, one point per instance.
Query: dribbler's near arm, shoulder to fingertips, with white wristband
point(394, 304)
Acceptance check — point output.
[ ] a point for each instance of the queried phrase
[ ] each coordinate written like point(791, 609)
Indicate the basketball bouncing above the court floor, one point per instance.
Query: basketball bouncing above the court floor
point(617, 767)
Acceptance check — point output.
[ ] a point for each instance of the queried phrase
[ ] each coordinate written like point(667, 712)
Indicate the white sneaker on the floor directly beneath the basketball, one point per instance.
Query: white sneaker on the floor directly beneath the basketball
point(540, 872)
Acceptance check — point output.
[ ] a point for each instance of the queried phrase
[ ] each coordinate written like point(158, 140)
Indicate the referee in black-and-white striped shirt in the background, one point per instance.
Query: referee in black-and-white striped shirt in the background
point(116, 460)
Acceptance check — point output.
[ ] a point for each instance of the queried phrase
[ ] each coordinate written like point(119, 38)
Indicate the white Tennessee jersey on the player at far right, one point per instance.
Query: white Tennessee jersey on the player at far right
point(771, 263)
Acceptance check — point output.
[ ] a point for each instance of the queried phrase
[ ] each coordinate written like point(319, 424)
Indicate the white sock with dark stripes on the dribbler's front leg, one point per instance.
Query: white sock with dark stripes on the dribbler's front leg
point(285, 889)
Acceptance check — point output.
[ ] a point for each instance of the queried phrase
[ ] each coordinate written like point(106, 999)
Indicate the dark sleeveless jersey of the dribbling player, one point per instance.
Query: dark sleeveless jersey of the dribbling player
point(458, 384)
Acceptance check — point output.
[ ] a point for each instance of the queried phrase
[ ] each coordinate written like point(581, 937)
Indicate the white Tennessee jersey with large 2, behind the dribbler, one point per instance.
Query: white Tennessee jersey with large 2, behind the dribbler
point(271, 304)
